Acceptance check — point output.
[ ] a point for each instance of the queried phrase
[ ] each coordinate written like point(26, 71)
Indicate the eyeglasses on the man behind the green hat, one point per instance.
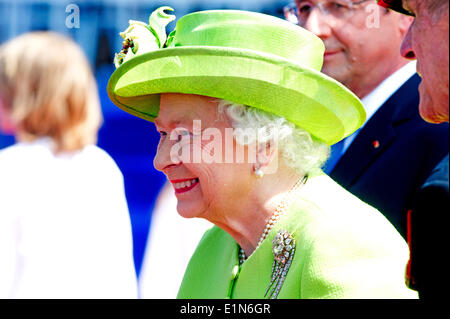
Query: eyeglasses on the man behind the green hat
point(338, 9)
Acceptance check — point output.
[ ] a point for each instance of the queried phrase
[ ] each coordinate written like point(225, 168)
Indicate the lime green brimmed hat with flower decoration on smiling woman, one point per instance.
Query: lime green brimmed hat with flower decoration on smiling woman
point(244, 57)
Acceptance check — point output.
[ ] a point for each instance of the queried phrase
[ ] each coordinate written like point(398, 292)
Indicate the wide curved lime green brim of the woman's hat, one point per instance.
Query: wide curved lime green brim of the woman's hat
point(304, 96)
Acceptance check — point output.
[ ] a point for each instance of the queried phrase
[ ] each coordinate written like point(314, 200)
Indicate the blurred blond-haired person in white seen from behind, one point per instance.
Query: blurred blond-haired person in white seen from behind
point(64, 226)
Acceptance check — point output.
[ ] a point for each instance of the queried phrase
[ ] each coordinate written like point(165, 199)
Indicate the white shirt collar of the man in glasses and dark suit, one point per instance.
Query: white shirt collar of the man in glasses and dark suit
point(375, 99)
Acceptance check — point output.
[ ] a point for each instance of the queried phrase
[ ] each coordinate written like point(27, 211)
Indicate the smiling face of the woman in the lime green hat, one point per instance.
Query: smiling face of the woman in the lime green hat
point(202, 189)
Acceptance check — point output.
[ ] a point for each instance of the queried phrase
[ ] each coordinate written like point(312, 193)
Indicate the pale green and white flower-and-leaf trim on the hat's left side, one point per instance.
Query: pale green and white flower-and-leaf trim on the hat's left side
point(141, 38)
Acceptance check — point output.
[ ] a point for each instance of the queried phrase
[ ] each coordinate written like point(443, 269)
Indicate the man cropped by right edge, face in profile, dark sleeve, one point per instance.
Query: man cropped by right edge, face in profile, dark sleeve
point(427, 41)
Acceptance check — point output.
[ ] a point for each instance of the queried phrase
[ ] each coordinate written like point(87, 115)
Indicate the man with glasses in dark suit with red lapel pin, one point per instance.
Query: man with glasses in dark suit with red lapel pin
point(386, 161)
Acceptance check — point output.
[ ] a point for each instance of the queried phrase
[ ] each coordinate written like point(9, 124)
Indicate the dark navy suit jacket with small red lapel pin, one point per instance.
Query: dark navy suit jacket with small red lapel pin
point(392, 156)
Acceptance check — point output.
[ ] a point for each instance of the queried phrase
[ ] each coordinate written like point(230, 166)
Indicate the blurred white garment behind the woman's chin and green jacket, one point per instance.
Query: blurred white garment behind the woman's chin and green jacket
point(171, 244)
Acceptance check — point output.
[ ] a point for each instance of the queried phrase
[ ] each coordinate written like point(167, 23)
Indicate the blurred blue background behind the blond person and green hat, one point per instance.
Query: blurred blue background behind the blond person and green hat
point(95, 26)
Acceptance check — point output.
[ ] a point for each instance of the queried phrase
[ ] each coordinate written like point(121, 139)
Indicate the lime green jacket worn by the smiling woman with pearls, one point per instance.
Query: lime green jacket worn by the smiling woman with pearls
point(345, 249)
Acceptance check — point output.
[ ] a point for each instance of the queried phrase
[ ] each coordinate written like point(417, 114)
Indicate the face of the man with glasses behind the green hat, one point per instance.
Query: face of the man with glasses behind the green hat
point(361, 47)
